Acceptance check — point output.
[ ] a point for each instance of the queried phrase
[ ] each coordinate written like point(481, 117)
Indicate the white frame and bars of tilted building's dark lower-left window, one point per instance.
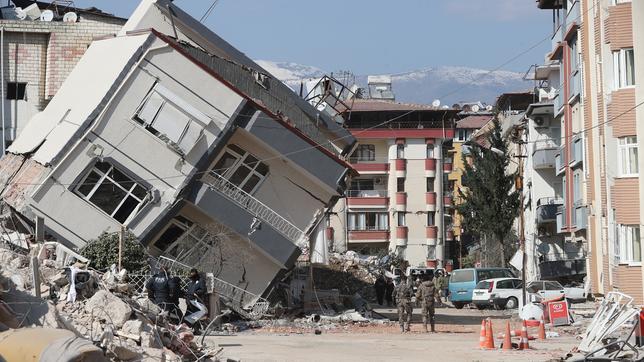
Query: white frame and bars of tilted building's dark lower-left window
point(103, 176)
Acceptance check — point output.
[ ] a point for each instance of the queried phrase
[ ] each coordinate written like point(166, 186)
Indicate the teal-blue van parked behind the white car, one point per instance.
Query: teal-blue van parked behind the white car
point(463, 281)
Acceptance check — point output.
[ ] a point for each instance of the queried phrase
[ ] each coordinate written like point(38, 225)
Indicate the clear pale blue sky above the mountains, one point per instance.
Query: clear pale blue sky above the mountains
point(374, 36)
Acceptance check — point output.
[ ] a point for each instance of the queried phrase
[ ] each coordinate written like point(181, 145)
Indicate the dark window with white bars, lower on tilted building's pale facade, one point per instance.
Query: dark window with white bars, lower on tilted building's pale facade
point(112, 191)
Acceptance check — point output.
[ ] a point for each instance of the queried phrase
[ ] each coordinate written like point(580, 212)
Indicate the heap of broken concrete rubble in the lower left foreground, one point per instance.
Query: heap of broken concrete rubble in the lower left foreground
point(102, 308)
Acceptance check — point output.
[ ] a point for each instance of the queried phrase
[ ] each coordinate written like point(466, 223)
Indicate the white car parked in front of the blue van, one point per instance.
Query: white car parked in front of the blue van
point(497, 292)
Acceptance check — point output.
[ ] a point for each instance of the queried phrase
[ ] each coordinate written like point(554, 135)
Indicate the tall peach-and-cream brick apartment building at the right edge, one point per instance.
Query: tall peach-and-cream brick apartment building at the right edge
point(595, 44)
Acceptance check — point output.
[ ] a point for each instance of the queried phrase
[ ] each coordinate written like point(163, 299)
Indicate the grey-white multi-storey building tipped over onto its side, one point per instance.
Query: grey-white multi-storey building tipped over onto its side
point(170, 131)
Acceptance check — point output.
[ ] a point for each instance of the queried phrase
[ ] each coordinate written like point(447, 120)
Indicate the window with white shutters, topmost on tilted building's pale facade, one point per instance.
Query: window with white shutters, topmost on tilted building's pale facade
point(171, 119)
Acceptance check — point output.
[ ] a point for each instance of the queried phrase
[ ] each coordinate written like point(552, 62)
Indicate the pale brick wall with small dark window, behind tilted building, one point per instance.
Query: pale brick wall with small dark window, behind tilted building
point(42, 54)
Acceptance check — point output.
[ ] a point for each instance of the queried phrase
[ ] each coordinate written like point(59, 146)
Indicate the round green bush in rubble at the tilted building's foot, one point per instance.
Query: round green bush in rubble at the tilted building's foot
point(104, 251)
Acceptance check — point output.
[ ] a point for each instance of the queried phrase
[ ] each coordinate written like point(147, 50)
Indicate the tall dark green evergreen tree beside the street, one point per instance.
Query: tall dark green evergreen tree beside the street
point(489, 203)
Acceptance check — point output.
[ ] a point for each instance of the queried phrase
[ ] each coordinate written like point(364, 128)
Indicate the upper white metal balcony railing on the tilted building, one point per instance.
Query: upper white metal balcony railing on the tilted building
point(254, 207)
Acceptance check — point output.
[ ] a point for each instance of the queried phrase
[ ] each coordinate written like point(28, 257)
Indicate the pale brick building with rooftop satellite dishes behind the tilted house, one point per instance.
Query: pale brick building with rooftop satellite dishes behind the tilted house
point(38, 55)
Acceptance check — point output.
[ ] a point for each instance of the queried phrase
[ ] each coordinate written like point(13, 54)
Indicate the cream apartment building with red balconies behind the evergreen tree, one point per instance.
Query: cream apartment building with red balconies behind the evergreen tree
point(399, 200)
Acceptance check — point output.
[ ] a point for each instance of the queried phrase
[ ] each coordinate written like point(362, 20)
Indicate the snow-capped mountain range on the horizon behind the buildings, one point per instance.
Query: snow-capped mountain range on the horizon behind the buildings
point(450, 84)
